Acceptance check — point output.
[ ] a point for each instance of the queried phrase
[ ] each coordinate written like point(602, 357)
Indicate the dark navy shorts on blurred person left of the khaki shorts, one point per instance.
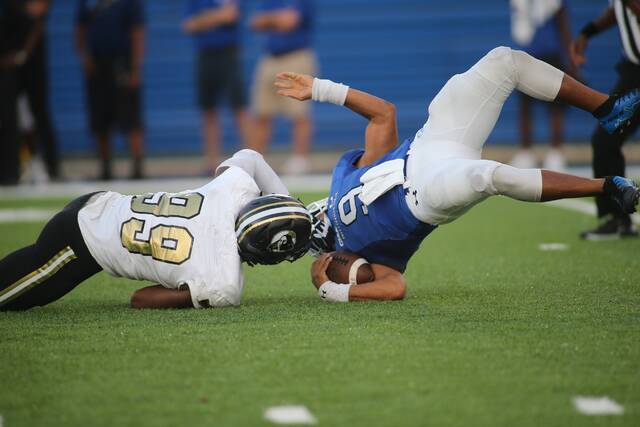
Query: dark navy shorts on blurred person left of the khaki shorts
point(219, 73)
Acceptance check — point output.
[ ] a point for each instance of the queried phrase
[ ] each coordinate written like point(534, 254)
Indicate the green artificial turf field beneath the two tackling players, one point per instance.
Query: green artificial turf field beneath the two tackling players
point(494, 332)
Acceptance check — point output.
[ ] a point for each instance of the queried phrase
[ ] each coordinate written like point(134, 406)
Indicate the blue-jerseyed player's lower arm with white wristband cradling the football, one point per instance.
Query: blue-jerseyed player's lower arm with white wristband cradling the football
point(389, 284)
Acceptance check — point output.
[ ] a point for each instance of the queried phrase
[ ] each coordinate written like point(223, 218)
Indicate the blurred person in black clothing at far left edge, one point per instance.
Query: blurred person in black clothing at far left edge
point(23, 70)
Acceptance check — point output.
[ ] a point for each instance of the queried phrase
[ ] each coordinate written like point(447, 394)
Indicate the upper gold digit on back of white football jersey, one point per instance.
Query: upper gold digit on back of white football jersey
point(186, 205)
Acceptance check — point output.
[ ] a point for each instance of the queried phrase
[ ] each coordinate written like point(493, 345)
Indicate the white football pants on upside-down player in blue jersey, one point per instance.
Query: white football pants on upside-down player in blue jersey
point(445, 173)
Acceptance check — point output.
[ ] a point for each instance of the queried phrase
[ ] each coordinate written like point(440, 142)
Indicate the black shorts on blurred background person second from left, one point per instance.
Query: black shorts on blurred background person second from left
point(112, 101)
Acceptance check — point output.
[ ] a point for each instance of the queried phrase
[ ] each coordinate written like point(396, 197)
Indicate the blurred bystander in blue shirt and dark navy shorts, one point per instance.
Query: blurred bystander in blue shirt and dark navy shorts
point(215, 28)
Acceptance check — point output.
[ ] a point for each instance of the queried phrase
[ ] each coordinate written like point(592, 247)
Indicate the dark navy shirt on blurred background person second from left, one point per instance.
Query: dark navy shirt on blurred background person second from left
point(109, 24)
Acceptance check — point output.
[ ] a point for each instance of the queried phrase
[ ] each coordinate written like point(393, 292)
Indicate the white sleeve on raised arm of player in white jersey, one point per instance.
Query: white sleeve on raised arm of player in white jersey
point(254, 164)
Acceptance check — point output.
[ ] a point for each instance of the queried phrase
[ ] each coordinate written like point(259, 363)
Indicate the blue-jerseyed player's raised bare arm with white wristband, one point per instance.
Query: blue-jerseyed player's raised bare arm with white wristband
point(381, 134)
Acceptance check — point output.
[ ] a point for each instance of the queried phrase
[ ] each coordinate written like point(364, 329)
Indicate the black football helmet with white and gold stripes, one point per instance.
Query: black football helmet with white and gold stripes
point(273, 228)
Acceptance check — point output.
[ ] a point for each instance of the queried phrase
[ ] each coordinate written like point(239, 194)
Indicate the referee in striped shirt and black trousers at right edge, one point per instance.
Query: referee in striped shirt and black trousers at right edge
point(608, 158)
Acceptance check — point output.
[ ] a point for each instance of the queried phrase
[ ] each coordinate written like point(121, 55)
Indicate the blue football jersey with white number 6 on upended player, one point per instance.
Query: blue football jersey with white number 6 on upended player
point(384, 232)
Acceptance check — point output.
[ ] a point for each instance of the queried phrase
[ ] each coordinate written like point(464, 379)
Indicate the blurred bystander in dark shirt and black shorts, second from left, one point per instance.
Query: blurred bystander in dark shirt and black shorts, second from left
point(110, 44)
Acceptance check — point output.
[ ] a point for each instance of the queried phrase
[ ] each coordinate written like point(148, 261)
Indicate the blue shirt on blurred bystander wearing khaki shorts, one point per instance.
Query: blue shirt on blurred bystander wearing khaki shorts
point(278, 43)
